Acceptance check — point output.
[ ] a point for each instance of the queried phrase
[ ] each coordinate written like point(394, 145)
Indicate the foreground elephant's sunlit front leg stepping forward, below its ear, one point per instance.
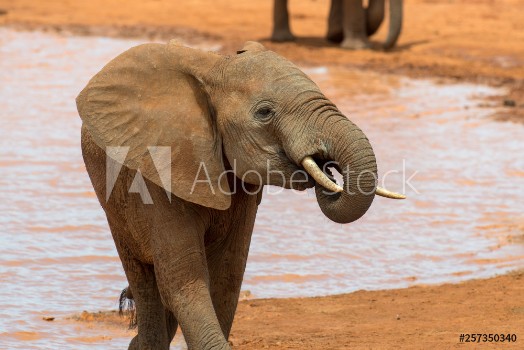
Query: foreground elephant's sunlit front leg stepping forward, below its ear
point(183, 278)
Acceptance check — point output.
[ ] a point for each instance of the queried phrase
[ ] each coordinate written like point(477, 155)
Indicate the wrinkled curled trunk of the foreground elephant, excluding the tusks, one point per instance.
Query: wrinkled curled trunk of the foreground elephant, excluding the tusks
point(349, 152)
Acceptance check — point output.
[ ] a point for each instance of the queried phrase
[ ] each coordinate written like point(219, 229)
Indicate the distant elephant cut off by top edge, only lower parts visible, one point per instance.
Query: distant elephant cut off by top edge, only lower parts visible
point(349, 22)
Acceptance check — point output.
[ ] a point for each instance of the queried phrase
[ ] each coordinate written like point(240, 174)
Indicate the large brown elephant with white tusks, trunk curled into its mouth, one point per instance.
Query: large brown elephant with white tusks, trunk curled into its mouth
point(178, 144)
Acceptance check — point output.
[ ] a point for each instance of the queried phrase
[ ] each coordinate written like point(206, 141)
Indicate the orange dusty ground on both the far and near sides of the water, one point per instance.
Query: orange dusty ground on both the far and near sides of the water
point(474, 40)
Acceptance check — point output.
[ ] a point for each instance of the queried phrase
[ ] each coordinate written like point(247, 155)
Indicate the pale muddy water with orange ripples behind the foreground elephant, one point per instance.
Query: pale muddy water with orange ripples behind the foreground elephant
point(57, 257)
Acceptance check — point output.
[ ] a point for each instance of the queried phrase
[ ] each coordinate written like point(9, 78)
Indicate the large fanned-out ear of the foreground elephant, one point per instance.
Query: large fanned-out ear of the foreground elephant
point(152, 101)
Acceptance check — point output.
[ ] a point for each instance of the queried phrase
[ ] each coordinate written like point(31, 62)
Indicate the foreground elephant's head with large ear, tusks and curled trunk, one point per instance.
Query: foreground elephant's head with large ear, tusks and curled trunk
point(255, 113)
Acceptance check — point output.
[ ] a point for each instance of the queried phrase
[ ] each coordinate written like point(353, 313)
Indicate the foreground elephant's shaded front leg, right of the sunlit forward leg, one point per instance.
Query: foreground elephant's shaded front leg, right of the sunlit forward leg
point(227, 261)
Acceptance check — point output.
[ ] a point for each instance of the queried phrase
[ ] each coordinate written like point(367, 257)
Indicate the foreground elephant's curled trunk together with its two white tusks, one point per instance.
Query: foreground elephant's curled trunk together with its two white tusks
point(331, 141)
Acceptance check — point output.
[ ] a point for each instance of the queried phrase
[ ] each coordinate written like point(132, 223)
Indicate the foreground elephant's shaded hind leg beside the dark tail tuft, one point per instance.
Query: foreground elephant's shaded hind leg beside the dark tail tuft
point(155, 331)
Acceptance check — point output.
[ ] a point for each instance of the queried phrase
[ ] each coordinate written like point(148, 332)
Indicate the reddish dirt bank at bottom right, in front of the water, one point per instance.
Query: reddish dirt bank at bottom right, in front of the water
point(429, 317)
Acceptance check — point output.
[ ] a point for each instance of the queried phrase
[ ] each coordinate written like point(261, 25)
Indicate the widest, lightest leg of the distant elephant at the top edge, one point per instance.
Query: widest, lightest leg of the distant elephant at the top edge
point(354, 24)
